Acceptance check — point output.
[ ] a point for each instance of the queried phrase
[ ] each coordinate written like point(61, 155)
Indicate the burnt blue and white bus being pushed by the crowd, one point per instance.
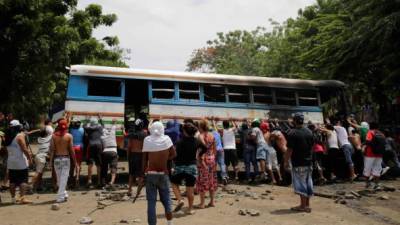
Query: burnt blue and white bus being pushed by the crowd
point(122, 93)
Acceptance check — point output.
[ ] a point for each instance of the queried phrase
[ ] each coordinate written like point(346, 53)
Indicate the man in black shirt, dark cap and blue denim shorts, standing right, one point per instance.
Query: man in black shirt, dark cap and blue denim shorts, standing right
point(300, 143)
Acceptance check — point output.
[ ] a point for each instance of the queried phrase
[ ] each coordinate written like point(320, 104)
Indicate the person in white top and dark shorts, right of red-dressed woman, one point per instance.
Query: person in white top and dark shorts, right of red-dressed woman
point(229, 144)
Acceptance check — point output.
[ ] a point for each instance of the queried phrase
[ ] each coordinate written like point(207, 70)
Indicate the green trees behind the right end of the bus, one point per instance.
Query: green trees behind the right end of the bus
point(353, 41)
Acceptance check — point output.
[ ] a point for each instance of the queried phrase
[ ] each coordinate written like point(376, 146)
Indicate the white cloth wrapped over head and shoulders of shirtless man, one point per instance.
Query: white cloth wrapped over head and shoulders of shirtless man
point(157, 141)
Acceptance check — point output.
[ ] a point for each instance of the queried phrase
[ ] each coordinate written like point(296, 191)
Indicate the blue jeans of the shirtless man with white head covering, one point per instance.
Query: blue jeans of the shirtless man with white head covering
point(154, 183)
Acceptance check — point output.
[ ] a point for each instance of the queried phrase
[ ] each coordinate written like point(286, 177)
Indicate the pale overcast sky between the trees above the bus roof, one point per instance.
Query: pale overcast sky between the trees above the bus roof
point(162, 34)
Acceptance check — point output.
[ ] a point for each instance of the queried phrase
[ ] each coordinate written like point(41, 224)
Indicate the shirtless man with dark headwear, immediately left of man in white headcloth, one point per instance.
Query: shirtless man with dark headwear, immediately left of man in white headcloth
point(135, 155)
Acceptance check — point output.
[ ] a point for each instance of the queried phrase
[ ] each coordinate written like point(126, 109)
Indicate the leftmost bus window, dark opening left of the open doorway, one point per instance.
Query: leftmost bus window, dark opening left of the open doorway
point(104, 87)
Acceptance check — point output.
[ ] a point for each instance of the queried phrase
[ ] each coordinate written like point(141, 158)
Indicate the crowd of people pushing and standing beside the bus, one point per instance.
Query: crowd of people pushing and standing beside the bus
point(199, 154)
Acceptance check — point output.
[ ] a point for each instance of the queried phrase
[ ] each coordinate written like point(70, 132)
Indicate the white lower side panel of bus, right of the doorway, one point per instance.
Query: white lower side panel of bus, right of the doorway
point(199, 112)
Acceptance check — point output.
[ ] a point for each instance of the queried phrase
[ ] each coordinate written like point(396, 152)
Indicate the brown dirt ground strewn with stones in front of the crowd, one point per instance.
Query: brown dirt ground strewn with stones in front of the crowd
point(273, 207)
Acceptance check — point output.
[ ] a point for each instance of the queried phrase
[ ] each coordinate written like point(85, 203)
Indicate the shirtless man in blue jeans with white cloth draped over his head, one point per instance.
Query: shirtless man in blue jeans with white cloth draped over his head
point(157, 149)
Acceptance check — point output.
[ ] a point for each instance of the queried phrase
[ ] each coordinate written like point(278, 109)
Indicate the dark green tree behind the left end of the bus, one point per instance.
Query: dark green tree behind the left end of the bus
point(38, 40)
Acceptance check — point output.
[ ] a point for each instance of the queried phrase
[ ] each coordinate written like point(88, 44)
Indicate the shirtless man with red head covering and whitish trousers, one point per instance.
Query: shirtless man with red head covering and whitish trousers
point(61, 151)
